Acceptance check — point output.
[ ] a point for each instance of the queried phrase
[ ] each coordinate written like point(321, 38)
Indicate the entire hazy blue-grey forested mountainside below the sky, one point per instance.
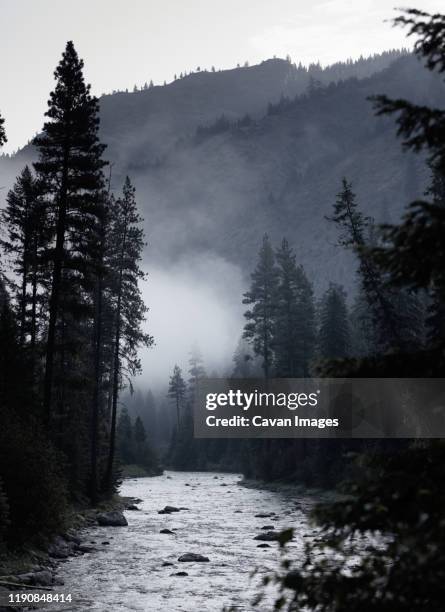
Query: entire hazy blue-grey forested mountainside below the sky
point(229, 155)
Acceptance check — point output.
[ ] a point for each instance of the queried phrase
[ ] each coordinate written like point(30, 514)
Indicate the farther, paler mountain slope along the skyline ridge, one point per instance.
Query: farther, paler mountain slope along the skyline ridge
point(141, 127)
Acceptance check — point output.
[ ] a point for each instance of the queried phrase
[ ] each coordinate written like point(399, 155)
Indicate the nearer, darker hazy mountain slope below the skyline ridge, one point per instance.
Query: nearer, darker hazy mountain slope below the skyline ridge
point(281, 174)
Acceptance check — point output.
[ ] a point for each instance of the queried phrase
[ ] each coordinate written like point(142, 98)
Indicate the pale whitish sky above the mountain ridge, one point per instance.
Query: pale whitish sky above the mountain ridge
point(124, 42)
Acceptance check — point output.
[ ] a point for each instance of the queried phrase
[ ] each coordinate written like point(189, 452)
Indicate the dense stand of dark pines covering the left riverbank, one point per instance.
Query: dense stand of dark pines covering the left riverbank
point(70, 321)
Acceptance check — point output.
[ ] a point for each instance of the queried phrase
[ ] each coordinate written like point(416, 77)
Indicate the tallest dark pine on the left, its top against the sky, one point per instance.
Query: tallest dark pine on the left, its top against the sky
point(70, 171)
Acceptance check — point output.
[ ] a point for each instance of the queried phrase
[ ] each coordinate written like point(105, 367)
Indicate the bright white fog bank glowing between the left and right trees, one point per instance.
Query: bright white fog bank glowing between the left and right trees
point(196, 301)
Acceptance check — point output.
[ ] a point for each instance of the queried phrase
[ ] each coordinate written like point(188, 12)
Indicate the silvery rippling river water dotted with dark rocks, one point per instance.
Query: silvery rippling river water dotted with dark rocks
point(219, 522)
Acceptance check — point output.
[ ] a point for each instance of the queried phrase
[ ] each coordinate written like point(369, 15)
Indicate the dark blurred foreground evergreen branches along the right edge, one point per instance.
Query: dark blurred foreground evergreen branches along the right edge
point(382, 542)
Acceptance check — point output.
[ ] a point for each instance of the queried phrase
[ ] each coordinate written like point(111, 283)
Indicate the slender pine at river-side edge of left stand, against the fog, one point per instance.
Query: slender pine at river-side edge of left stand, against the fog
point(127, 240)
